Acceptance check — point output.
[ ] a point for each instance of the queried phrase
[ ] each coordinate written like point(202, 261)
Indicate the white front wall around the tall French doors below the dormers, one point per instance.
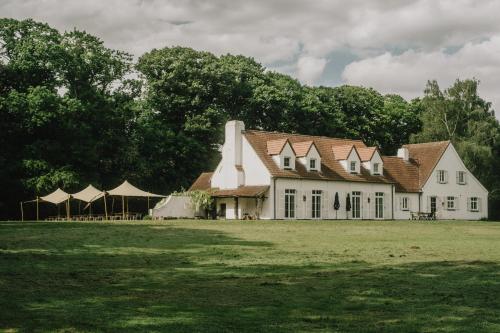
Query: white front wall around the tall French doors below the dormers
point(305, 187)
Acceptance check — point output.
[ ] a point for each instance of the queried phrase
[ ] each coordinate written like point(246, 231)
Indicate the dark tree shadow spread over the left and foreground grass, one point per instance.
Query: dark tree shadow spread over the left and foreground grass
point(143, 278)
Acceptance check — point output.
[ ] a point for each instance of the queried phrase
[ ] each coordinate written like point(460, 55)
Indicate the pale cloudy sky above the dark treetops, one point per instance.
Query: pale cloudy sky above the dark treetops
point(394, 46)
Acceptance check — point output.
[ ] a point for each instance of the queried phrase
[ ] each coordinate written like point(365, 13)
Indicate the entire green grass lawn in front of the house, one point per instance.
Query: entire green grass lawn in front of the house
point(302, 276)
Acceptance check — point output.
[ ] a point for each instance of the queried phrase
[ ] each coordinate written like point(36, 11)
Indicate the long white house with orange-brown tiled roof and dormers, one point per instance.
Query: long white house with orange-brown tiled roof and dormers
point(270, 175)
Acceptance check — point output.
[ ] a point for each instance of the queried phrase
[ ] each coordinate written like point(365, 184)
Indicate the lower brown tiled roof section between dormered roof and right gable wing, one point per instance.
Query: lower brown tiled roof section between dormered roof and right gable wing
point(403, 173)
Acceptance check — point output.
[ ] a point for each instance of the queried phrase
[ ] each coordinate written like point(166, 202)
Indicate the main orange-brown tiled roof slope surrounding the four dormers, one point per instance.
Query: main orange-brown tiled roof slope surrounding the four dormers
point(330, 167)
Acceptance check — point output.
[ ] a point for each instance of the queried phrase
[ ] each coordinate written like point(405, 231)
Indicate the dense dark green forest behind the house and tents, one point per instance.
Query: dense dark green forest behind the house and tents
point(74, 112)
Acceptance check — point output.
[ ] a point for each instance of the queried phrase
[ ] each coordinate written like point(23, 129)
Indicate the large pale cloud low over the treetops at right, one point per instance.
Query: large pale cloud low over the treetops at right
point(407, 73)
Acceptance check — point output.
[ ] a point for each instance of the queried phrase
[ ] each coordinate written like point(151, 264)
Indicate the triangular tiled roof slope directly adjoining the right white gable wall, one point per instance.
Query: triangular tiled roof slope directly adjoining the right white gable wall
point(426, 156)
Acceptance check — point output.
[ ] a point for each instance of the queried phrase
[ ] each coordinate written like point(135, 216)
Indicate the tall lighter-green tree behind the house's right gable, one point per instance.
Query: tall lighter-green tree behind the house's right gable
point(460, 115)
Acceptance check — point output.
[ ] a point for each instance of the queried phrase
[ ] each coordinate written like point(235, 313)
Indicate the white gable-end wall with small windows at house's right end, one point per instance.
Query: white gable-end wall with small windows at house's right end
point(452, 163)
